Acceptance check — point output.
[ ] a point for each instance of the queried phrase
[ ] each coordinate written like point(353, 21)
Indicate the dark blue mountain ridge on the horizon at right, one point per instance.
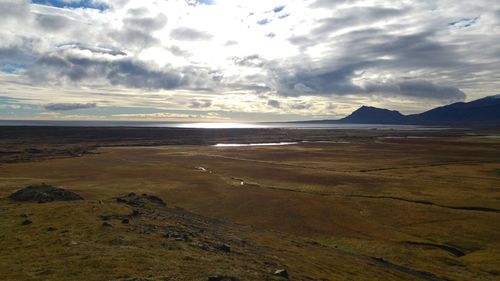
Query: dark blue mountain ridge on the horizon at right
point(485, 111)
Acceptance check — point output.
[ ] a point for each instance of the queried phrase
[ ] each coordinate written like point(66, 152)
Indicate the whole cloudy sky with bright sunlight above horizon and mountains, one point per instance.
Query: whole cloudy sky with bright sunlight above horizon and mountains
point(242, 60)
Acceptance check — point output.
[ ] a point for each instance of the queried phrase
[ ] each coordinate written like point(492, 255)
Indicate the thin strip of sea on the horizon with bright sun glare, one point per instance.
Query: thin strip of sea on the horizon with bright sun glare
point(212, 125)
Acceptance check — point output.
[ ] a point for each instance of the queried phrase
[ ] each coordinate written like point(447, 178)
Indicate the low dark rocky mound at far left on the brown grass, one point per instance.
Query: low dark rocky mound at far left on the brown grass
point(43, 193)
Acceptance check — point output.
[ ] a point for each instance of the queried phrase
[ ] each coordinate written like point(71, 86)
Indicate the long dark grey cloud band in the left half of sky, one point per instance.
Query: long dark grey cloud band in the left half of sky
point(64, 68)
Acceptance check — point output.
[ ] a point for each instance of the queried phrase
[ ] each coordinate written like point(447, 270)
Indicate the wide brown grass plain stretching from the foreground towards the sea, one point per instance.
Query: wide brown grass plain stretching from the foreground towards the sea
point(364, 207)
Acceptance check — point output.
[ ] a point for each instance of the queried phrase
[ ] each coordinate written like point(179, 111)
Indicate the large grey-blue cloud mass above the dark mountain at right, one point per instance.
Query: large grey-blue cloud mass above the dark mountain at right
point(372, 49)
